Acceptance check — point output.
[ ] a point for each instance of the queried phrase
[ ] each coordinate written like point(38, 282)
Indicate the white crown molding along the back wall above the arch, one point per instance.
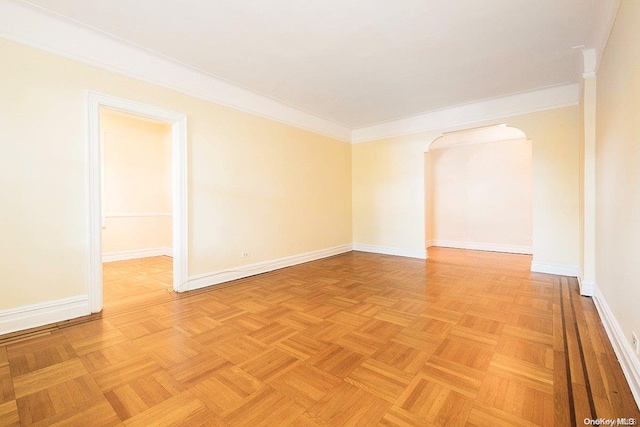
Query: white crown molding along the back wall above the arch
point(490, 109)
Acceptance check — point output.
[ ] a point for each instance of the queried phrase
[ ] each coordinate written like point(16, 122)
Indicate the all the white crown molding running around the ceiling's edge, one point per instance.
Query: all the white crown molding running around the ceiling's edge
point(24, 24)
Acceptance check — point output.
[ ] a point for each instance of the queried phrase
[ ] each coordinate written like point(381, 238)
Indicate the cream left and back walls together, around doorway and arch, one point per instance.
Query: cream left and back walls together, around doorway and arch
point(255, 185)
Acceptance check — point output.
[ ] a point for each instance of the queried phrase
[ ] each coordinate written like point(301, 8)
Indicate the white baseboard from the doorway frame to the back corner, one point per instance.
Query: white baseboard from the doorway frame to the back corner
point(217, 277)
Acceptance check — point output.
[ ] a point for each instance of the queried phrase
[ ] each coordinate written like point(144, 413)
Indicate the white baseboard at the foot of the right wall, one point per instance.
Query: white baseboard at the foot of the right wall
point(625, 354)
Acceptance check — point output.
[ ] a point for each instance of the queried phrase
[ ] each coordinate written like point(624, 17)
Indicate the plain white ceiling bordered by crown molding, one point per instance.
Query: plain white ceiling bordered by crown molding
point(358, 62)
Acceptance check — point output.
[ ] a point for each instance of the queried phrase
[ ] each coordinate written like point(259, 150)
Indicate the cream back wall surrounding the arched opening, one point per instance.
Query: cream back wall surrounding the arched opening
point(389, 182)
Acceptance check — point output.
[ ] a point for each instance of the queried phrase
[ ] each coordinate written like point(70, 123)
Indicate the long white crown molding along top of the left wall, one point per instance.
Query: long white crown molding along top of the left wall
point(25, 25)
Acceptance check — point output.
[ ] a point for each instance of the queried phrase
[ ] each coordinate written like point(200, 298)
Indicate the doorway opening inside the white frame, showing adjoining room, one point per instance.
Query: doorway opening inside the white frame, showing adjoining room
point(136, 209)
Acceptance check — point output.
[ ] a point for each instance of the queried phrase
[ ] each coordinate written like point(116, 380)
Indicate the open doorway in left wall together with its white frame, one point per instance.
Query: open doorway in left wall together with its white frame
point(126, 212)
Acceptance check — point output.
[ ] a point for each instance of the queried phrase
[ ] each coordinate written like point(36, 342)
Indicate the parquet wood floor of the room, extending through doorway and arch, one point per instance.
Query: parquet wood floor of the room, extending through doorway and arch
point(464, 339)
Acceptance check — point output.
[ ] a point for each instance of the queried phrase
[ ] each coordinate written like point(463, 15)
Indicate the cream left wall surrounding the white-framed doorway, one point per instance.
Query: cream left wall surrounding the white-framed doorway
point(255, 185)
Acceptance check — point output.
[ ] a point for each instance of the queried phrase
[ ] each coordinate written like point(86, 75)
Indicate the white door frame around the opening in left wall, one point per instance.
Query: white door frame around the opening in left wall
point(178, 123)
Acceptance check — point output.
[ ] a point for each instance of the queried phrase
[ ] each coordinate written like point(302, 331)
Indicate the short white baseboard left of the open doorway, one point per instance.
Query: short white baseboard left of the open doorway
point(32, 316)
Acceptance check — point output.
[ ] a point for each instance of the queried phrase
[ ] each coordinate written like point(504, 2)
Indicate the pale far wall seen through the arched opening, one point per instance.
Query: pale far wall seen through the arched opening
point(482, 194)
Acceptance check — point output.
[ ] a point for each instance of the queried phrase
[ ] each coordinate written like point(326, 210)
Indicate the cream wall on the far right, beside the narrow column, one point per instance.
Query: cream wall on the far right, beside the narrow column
point(618, 170)
